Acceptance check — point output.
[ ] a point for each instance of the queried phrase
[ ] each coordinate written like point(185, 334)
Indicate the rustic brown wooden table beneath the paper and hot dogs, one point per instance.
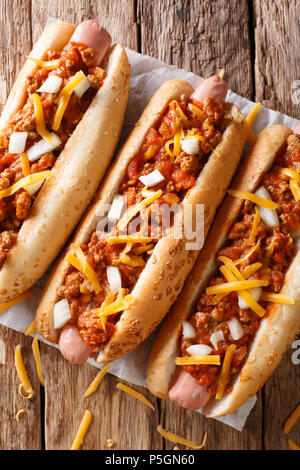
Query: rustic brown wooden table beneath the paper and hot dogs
point(257, 42)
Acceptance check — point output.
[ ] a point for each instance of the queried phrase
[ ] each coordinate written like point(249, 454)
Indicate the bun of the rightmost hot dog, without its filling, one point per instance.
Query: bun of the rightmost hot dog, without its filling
point(277, 329)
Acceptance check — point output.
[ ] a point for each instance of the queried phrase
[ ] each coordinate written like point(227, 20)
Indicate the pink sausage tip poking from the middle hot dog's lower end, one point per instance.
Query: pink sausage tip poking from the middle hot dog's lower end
point(72, 346)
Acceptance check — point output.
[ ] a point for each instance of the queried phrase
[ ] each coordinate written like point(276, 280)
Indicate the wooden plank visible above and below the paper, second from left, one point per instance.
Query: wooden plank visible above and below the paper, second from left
point(116, 416)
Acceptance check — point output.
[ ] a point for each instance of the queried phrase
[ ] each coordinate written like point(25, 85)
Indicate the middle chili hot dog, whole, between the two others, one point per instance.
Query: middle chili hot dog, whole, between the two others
point(116, 287)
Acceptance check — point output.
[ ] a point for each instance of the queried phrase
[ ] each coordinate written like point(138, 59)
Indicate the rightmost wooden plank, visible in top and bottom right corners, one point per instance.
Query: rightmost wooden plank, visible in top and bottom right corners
point(276, 68)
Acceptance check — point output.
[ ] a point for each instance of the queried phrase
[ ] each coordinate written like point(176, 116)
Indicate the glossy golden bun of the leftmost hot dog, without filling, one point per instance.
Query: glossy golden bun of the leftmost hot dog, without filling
point(77, 171)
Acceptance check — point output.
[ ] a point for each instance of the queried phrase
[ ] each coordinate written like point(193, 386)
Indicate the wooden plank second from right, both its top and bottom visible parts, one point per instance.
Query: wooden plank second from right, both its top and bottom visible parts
point(203, 37)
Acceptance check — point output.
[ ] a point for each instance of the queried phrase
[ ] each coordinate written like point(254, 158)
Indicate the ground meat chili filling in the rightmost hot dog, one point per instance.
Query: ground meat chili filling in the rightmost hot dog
point(275, 252)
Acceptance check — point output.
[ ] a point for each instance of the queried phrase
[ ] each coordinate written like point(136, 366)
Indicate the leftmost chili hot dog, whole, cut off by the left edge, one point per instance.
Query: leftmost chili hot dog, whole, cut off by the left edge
point(58, 131)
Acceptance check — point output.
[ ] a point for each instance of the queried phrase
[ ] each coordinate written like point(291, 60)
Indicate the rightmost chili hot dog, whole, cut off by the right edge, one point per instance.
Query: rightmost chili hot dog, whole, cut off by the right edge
point(238, 311)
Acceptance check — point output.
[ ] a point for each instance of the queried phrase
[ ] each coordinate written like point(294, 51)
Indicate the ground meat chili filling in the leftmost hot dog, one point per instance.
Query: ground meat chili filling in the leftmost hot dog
point(15, 209)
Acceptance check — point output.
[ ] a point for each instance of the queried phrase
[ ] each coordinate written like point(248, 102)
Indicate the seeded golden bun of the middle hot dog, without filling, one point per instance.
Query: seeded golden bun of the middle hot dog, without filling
point(165, 272)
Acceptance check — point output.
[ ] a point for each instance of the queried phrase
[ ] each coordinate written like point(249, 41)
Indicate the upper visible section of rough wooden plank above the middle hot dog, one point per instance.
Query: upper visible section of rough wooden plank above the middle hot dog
point(203, 37)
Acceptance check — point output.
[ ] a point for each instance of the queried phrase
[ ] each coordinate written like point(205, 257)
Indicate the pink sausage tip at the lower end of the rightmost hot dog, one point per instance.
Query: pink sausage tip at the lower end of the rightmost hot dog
point(187, 393)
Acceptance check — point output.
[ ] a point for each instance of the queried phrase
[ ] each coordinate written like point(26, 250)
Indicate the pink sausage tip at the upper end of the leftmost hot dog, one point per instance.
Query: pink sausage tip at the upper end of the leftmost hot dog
point(93, 35)
